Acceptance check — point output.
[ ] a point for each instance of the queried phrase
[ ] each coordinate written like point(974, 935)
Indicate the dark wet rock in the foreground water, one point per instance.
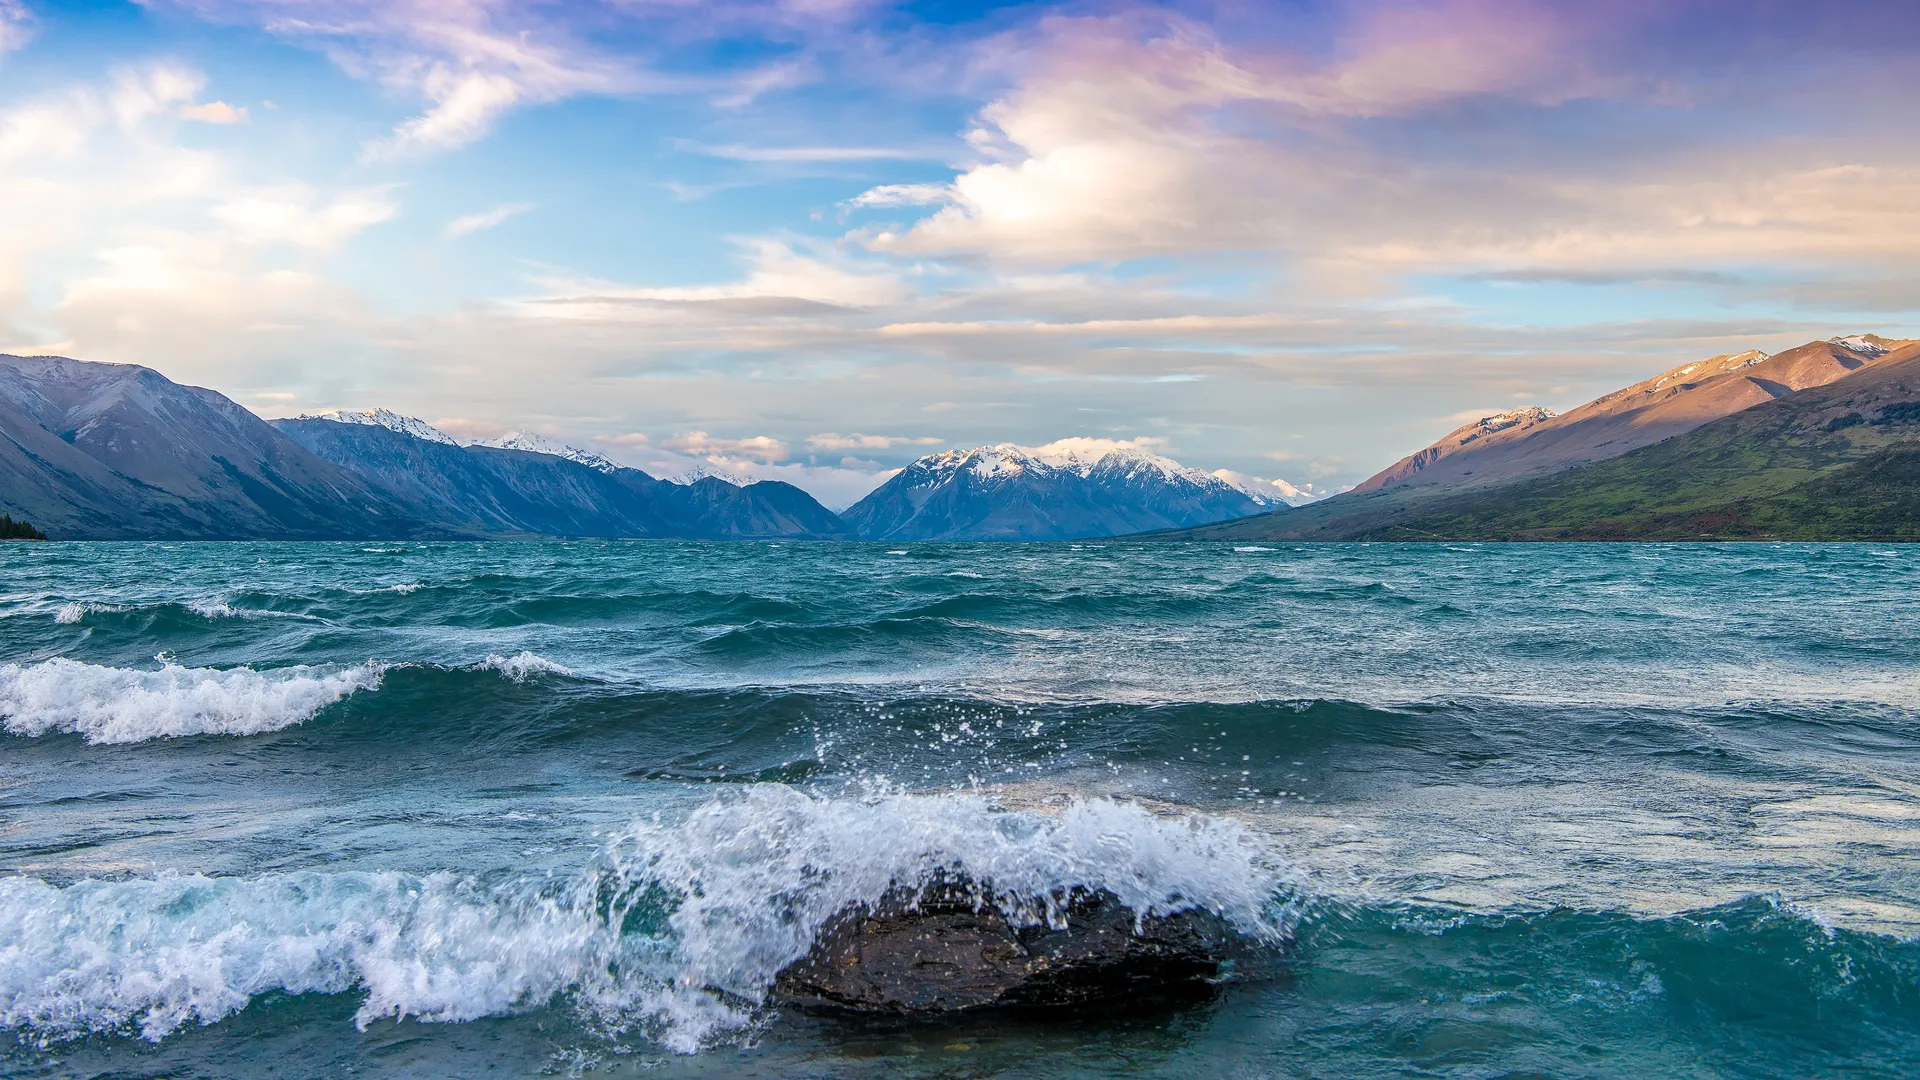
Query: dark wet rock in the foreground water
point(942, 950)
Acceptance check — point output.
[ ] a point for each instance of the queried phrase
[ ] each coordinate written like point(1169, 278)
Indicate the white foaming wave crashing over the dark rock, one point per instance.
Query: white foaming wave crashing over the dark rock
point(675, 929)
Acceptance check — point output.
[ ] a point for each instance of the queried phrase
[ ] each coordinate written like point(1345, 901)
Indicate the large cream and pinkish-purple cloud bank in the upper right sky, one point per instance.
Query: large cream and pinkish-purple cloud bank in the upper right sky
point(1151, 137)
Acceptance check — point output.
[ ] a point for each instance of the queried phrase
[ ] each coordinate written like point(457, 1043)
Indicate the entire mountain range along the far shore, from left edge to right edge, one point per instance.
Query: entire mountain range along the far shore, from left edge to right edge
point(1821, 441)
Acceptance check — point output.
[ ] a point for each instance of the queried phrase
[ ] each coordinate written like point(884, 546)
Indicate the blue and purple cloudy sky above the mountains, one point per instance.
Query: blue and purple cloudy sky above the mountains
point(817, 239)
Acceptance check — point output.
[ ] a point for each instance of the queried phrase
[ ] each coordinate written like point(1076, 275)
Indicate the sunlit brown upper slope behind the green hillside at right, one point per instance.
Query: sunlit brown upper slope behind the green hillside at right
point(1518, 447)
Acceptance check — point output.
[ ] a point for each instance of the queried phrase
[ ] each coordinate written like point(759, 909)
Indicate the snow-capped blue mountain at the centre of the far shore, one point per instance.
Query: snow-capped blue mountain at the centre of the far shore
point(1067, 491)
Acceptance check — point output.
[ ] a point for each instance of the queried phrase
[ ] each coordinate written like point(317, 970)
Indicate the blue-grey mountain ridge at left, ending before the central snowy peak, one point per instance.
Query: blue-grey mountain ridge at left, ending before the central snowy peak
point(120, 453)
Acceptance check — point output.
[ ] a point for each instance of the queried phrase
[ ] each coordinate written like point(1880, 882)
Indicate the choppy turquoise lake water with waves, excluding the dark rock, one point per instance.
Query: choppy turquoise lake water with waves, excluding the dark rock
point(427, 810)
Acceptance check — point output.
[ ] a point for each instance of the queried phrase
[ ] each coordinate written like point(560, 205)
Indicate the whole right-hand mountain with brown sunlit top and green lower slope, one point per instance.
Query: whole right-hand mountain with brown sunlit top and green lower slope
point(1808, 445)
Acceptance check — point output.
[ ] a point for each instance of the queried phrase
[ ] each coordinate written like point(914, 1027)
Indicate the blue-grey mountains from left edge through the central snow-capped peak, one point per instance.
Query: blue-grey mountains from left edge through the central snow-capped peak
point(120, 453)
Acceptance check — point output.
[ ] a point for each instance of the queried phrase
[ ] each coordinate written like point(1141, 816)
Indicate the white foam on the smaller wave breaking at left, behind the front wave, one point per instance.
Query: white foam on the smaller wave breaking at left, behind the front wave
point(116, 704)
